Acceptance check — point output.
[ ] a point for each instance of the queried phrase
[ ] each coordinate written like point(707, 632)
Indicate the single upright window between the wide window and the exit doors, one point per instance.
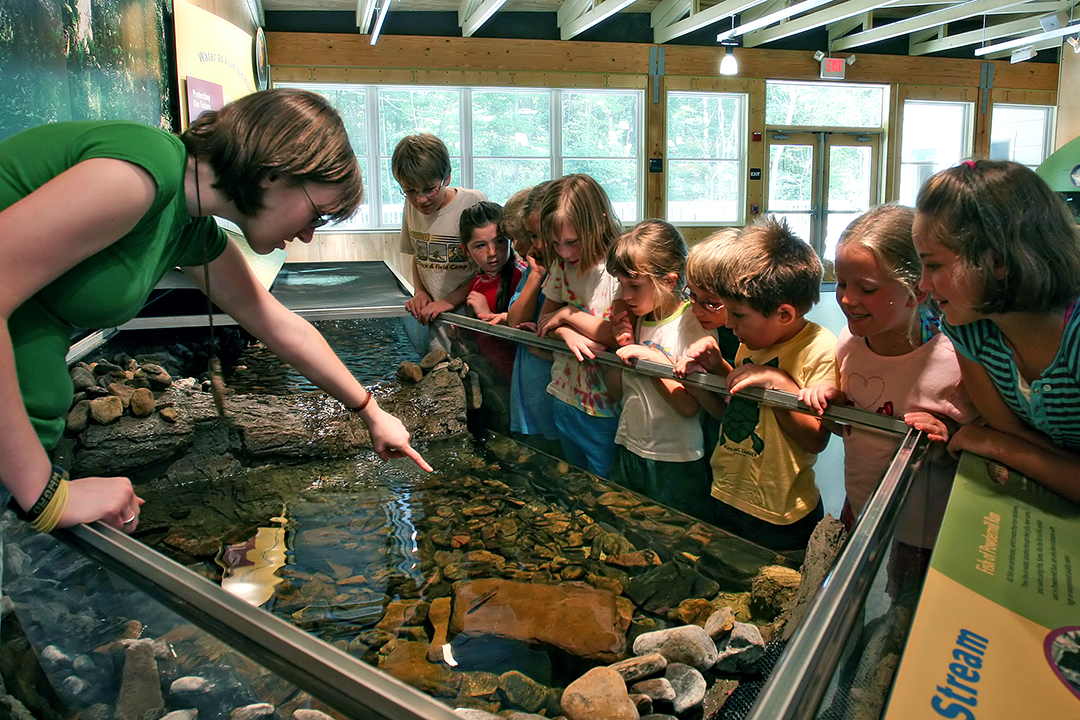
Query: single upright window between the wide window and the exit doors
point(706, 157)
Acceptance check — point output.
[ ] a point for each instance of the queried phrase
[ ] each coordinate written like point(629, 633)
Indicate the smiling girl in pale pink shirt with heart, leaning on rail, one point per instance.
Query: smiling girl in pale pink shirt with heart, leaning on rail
point(893, 361)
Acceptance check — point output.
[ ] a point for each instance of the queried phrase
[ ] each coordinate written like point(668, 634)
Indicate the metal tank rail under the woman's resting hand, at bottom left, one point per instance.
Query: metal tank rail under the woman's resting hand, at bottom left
point(343, 682)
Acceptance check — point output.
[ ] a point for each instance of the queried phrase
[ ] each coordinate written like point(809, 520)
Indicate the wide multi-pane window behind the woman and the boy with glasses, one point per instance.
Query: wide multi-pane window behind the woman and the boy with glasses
point(501, 140)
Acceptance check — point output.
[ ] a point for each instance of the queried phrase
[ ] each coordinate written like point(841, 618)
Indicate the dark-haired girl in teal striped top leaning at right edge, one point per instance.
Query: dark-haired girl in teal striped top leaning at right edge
point(1001, 253)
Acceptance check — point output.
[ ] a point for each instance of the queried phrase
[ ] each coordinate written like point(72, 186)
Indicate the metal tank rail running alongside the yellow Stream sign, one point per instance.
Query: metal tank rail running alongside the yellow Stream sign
point(801, 678)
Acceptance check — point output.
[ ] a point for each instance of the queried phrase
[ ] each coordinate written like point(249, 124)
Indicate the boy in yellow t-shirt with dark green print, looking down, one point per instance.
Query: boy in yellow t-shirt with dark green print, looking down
point(764, 484)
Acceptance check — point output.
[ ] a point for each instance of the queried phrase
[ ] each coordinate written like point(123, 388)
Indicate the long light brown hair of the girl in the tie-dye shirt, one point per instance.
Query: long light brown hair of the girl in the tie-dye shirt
point(580, 202)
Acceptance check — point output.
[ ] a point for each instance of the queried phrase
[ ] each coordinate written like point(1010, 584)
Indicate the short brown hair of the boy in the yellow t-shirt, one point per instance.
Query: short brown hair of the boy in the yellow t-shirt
point(767, 266)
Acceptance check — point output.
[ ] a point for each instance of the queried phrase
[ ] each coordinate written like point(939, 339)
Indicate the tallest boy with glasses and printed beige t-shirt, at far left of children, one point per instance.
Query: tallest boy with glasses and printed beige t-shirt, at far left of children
point(441, 269)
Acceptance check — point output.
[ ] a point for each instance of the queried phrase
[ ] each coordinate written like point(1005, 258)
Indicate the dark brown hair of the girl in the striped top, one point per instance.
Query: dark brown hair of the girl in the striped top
point(1000, 214)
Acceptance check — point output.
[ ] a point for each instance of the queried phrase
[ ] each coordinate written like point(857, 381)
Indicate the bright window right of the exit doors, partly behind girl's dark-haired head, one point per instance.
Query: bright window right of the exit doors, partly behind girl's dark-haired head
point(935, 137)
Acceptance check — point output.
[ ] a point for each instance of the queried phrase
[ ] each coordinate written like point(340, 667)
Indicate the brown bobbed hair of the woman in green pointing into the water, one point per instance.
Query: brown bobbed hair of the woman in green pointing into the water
point(293, 133)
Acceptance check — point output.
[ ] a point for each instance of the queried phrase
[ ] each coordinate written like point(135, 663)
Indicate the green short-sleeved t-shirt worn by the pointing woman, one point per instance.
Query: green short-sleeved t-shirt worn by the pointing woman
point(112, 287)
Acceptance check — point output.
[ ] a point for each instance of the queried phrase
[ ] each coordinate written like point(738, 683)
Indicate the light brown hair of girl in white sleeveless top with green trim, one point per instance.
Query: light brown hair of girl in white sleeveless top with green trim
point(654, 250)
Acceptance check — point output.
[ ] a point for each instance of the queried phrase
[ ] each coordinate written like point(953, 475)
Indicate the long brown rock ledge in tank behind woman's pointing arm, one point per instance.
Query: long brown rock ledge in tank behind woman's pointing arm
point(261, 428)
